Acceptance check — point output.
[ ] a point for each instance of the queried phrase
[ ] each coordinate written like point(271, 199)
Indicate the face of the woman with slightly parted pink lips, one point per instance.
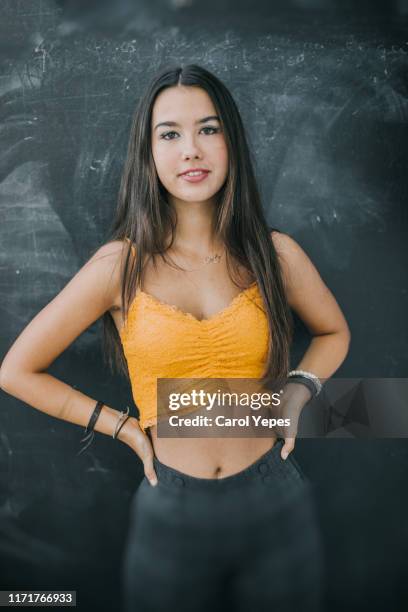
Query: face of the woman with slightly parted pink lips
point(189, 142)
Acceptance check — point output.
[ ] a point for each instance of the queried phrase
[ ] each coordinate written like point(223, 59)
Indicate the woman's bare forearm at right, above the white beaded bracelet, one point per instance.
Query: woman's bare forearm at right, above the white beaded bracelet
point(325, 354)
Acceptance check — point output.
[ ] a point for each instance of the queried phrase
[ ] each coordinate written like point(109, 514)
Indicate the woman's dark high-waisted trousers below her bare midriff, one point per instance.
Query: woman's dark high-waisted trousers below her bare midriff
point(249, 542)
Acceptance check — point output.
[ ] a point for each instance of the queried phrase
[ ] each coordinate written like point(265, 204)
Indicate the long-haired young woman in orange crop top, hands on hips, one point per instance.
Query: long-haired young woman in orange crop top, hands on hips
point(193, 284)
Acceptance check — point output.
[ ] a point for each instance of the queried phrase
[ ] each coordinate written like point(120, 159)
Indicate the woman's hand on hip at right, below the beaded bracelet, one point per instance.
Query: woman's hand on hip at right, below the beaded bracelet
point(293, 399)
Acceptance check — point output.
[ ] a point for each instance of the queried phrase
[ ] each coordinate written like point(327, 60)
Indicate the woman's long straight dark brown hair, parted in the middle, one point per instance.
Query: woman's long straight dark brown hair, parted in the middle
point(144, 216)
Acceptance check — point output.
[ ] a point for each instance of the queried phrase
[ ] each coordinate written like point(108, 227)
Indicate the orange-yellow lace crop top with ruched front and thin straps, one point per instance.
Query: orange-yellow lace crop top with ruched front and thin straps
point(161, 341)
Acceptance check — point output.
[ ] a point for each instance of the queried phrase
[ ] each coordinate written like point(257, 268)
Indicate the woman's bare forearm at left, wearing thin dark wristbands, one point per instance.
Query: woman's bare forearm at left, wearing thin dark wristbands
point(54, 397)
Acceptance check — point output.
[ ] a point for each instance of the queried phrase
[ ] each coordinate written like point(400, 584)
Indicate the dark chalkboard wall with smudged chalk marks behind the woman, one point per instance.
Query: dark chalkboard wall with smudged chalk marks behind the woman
point(323, 91)
